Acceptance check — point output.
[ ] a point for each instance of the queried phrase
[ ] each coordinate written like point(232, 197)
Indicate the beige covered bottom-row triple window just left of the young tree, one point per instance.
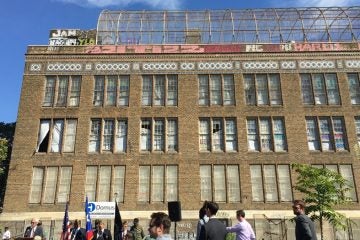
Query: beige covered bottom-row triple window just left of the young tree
point(271, 183)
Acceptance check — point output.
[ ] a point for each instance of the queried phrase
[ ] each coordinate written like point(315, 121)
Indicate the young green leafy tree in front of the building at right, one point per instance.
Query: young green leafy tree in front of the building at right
point(323, 189)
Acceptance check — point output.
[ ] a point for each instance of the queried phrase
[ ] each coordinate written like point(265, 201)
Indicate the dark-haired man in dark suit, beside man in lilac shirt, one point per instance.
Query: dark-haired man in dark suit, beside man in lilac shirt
point(213, 229)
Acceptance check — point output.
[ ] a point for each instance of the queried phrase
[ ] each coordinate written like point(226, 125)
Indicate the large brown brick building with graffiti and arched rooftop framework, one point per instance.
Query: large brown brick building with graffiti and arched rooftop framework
point(155, 107)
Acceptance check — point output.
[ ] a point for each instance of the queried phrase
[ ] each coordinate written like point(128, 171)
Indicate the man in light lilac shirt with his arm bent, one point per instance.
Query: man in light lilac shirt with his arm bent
point(243, 228)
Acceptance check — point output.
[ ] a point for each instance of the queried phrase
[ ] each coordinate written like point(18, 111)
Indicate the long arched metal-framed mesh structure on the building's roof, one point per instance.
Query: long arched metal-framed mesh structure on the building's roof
point(281, 25)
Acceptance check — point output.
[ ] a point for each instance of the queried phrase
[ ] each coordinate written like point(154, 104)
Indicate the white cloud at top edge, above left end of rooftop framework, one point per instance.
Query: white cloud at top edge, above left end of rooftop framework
point(155, 4)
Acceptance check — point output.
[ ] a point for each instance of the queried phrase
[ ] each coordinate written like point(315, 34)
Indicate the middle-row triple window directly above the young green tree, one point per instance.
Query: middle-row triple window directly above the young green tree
point(326, 134)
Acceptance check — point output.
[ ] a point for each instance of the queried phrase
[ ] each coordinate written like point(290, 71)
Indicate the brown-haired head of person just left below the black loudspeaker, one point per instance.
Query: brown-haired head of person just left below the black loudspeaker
point(160, 224)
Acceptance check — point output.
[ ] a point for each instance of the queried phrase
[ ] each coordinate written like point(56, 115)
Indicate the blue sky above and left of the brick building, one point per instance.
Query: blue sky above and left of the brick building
point(26, 22)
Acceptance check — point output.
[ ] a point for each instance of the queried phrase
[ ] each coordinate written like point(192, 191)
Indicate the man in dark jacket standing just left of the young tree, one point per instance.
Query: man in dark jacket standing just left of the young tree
point(304, 226)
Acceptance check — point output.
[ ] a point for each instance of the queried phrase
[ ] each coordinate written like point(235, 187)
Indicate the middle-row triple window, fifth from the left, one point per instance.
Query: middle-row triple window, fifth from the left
point(266, 134)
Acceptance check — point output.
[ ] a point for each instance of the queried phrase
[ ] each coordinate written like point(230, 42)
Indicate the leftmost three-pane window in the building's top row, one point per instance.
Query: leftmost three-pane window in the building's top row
point(62, 91)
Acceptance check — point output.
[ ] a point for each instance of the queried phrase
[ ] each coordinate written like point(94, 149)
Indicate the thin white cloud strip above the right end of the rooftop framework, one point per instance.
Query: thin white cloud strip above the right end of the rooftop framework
point(316, 3)
